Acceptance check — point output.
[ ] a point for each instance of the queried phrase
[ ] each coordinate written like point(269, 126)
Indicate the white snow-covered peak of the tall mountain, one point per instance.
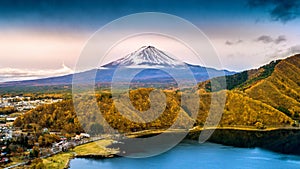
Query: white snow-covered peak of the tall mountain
point(146, 56)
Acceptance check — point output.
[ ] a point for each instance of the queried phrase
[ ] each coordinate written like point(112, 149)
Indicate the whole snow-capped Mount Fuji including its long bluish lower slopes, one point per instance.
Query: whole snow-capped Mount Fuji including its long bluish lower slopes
point(148, 59)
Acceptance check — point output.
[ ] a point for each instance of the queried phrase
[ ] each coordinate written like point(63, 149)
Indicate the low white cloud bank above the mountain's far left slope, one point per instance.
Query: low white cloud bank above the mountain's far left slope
point(13, 74)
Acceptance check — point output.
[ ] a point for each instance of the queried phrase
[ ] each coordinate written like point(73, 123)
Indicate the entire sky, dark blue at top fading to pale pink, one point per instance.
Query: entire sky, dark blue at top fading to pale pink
point(45, 38)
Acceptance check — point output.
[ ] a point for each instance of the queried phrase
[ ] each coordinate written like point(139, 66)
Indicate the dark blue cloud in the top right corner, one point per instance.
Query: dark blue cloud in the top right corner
point(279, 10)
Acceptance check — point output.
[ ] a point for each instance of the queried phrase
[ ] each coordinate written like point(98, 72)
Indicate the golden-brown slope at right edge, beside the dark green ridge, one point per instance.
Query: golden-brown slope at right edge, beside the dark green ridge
point(281, 90)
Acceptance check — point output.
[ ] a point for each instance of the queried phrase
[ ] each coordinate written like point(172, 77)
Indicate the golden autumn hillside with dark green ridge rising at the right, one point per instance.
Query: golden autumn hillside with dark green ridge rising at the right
point(275, 88)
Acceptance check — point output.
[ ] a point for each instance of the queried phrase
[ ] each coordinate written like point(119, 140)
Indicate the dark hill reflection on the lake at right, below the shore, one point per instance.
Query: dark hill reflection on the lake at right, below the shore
point(281, 140)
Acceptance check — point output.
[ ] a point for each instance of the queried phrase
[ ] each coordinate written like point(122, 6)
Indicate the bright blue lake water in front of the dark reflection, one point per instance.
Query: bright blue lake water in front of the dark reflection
point(192, 155)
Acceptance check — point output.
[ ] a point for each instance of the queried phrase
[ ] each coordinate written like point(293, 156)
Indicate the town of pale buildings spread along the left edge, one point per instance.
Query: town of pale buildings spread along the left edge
point(10, 108)
